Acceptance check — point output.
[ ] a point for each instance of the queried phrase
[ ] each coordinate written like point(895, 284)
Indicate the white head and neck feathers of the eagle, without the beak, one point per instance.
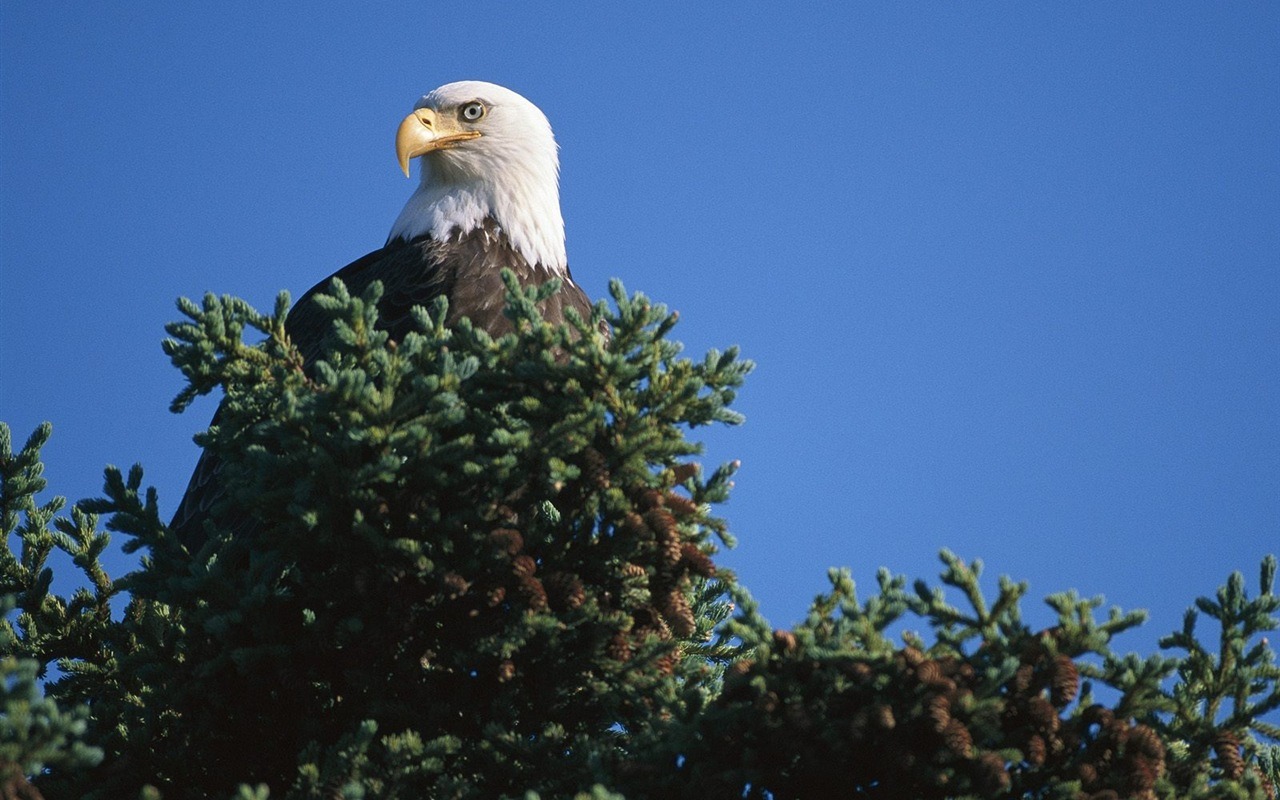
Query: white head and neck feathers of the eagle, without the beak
point(510, 172)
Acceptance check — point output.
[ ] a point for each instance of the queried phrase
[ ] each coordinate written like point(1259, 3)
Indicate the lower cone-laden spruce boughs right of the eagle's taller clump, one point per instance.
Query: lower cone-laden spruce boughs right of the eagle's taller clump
point(985, 707)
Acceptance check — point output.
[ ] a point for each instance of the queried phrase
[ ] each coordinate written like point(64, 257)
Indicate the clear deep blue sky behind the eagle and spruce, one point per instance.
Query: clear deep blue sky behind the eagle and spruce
point(1011, 272)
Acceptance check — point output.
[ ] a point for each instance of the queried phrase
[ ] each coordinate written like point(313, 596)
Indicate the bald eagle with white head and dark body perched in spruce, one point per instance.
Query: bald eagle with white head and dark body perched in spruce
point(488, 200)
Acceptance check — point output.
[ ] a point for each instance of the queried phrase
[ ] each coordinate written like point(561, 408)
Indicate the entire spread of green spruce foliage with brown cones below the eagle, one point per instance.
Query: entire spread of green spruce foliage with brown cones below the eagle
point(456, 566)
